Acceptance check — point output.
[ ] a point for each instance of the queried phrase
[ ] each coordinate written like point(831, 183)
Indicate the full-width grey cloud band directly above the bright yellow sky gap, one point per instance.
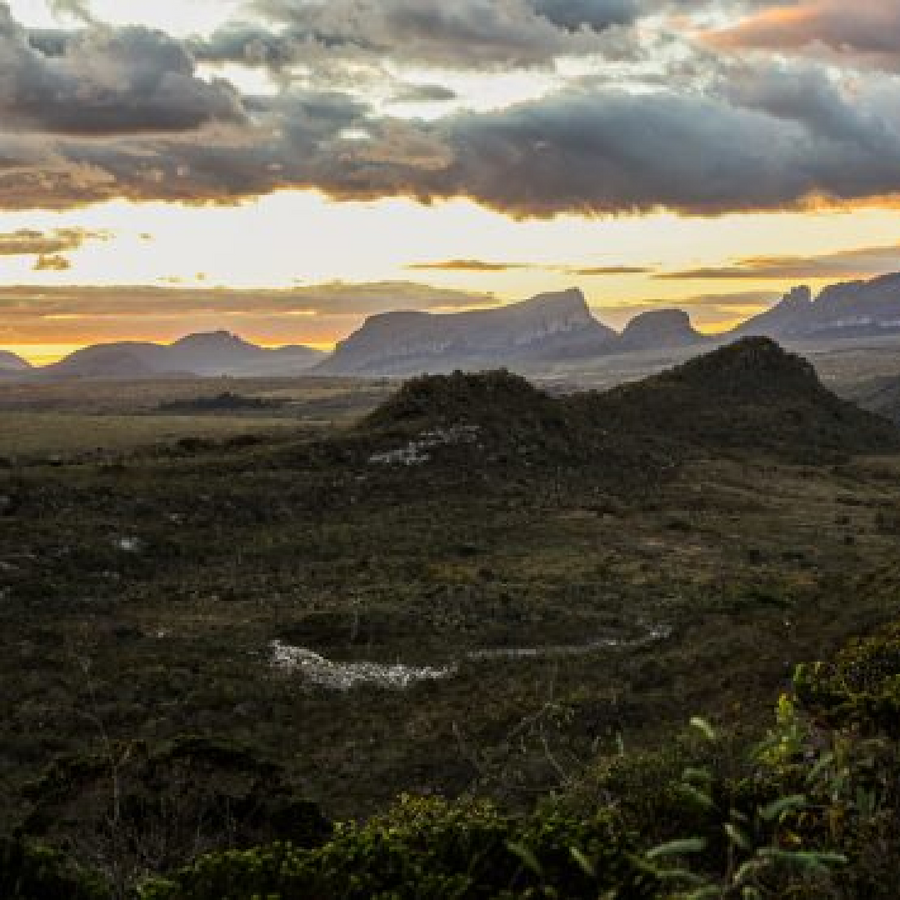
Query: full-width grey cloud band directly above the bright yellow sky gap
point(578, 151)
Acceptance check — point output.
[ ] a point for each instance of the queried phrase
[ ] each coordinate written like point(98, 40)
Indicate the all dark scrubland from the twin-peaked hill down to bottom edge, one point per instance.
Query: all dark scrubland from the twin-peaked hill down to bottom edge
point(477, 591)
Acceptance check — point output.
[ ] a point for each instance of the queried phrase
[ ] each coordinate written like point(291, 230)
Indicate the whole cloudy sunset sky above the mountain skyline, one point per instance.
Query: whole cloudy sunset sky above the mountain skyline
point(283, 168)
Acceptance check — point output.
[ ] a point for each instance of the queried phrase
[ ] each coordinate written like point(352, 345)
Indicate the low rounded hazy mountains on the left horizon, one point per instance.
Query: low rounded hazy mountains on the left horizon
point(213, 354)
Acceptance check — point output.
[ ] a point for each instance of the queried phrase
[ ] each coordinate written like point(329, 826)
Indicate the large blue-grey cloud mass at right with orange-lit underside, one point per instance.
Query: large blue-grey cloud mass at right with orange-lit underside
point(610, 151)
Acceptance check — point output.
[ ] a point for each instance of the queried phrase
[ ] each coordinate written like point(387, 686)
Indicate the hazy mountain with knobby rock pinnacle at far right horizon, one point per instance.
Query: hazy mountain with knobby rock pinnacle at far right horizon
point(853, 309)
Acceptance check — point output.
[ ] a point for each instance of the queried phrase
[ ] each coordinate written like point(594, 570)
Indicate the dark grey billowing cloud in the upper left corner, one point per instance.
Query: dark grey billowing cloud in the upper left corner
point(104, 81)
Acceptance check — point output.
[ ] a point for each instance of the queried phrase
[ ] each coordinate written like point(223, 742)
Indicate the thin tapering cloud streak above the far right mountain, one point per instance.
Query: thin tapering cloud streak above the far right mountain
point(842, 264)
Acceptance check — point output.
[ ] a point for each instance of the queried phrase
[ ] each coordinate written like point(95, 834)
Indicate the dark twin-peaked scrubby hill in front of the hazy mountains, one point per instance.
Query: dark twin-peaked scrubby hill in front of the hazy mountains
point(750, 396)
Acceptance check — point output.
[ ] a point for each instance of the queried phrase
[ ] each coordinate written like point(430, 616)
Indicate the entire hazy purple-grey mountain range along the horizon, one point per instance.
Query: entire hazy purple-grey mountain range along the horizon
point(547, 329)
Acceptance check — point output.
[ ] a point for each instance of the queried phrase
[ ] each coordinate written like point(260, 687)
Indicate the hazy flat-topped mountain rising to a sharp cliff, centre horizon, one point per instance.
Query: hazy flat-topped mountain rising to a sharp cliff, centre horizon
point(546, 328)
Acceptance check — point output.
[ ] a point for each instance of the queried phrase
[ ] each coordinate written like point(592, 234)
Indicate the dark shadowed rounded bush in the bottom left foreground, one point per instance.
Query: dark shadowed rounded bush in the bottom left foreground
point(136, 809)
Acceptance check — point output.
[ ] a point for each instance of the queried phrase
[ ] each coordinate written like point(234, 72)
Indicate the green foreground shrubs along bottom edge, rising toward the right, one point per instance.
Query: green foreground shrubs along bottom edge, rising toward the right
point(811, 811)
